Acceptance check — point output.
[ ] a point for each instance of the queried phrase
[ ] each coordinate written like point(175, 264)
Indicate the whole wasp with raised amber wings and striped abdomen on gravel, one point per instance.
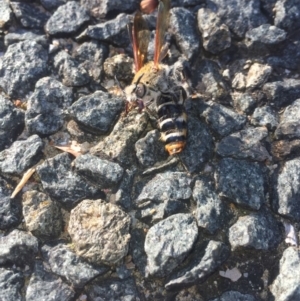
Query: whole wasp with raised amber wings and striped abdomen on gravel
point(156, 87)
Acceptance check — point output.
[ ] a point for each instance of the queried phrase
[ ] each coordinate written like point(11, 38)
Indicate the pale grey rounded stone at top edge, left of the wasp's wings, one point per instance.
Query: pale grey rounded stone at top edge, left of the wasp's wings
point(68, 18)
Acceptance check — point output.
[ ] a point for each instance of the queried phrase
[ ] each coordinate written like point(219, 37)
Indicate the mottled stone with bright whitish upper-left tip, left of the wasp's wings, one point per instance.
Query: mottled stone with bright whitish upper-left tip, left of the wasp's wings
point(69, 70)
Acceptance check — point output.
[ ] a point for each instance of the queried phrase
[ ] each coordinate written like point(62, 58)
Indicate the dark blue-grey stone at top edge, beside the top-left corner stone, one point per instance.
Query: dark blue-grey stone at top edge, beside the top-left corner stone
point(29, 15)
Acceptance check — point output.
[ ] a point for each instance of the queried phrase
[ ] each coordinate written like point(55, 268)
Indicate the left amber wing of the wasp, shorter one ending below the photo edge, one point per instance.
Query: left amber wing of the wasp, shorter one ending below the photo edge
point(140, 36)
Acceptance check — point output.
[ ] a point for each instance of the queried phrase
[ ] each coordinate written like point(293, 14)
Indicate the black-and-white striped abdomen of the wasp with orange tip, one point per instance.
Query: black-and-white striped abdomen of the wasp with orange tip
point(172, 121)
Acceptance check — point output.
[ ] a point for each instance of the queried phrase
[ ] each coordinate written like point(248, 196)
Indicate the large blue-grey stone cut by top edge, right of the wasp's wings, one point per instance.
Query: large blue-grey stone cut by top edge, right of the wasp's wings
point(238, 15)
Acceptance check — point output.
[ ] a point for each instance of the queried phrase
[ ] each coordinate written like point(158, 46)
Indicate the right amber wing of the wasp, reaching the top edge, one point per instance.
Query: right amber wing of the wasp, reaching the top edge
point(161, 28)
